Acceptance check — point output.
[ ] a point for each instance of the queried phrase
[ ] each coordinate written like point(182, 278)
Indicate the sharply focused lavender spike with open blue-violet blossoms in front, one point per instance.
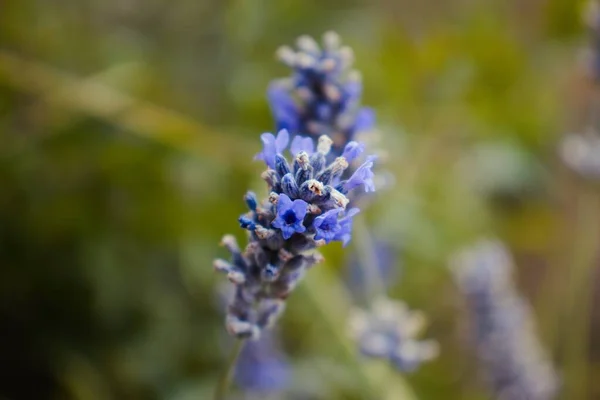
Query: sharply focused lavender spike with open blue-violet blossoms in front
point(306, 208)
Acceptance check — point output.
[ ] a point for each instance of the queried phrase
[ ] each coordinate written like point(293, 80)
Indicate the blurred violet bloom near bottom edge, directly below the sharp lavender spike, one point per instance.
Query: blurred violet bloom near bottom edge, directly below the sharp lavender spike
point(262, 367)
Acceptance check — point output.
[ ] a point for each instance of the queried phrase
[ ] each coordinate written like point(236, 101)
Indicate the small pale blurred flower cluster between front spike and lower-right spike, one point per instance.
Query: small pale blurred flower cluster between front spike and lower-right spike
point(390, 331)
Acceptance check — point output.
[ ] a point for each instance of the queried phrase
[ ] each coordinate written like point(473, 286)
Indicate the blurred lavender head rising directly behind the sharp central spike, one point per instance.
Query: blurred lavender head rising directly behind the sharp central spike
point(323, 95)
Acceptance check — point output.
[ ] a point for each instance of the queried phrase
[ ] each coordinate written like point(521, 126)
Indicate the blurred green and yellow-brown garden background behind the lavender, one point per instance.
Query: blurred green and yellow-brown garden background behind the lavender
point(127, 132)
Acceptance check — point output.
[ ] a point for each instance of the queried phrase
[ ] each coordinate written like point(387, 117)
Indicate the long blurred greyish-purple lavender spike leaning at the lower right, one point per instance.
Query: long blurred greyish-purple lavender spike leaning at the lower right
point(507, 345)
